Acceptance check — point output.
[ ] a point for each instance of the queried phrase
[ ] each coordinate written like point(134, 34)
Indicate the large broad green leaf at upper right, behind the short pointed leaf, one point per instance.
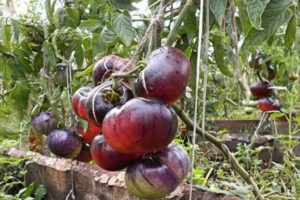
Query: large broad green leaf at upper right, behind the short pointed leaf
point(274, 16)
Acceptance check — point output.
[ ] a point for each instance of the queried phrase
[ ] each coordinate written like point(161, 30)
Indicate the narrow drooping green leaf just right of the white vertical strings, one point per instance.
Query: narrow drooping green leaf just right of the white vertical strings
point(221, 55)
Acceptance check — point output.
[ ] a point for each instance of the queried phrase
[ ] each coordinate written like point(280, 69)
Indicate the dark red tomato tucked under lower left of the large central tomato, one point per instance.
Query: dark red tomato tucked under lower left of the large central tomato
point(109, 159)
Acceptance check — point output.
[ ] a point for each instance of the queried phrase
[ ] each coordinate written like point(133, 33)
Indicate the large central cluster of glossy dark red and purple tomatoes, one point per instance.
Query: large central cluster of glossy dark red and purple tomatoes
point(137, 131)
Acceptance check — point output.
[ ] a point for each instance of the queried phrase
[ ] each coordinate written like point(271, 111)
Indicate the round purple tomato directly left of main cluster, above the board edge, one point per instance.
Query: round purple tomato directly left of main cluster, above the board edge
point(64, 143)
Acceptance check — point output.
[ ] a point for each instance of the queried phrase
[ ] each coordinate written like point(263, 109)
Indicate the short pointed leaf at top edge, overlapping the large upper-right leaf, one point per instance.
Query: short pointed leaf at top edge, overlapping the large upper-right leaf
point(255, 10)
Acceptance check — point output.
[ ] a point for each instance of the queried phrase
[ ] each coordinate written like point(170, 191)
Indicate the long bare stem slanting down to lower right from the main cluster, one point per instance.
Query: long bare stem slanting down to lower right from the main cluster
point(223, 148)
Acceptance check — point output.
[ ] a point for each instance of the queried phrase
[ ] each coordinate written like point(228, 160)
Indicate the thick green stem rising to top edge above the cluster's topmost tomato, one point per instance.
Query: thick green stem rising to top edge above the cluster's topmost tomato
point(172, 35)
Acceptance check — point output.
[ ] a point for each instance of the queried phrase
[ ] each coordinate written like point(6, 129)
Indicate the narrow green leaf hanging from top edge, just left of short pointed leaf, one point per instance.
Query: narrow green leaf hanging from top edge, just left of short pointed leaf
point(244, 17)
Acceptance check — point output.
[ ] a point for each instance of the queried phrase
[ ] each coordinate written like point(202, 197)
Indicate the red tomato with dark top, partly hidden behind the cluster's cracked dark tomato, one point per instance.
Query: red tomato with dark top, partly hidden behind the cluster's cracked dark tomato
point(78, 101)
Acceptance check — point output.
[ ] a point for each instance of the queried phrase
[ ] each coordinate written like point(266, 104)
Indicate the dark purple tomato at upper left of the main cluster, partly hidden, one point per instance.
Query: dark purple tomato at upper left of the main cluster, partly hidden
point(107, 65)
